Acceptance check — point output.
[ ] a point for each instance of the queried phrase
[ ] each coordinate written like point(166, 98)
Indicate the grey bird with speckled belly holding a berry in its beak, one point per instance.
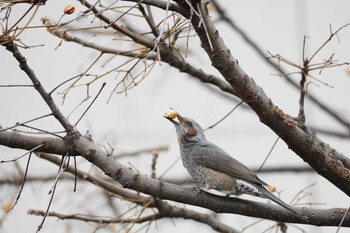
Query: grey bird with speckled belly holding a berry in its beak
point(212, 167)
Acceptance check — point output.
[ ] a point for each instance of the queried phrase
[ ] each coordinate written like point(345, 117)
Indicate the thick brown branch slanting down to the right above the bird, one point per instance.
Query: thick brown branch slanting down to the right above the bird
point(317, 154)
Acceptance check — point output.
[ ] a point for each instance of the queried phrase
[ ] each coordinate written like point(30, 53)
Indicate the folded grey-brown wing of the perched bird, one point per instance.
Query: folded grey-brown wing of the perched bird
point(213, 157)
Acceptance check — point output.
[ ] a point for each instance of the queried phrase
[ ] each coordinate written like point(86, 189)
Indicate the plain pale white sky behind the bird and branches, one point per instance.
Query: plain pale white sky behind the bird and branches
point(136, 122)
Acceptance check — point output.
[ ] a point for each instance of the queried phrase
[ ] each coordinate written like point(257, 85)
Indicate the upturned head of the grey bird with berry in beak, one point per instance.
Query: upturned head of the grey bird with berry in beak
point(187, 129)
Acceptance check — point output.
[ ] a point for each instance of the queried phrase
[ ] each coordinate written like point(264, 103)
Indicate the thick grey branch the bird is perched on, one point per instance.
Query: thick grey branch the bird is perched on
point(132, 179)
